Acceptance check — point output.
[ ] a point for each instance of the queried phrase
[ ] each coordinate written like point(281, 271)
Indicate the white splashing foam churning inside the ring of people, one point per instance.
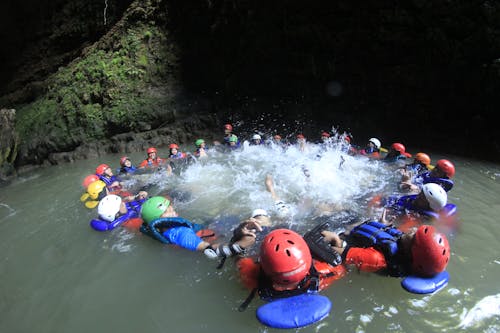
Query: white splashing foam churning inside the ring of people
point(318, 181)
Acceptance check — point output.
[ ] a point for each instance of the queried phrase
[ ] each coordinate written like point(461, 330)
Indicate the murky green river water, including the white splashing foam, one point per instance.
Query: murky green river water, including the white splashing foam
point(57, 274)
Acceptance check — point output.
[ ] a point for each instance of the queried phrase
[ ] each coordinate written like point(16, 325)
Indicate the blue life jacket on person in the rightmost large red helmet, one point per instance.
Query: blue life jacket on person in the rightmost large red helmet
point(381, 237)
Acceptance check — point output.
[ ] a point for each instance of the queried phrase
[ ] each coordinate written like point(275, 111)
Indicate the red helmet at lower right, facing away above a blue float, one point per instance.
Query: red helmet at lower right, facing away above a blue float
point(430, 251)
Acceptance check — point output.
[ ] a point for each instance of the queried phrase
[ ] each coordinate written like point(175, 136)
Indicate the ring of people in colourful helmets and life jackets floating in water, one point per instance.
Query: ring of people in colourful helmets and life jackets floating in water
point(273, 259)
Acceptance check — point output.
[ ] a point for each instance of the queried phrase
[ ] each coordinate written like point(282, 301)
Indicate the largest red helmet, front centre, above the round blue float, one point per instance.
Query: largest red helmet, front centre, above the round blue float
point(285, 257)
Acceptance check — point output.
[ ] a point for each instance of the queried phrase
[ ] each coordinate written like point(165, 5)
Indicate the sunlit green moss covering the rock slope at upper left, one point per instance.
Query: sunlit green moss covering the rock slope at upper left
point(103, 93)
